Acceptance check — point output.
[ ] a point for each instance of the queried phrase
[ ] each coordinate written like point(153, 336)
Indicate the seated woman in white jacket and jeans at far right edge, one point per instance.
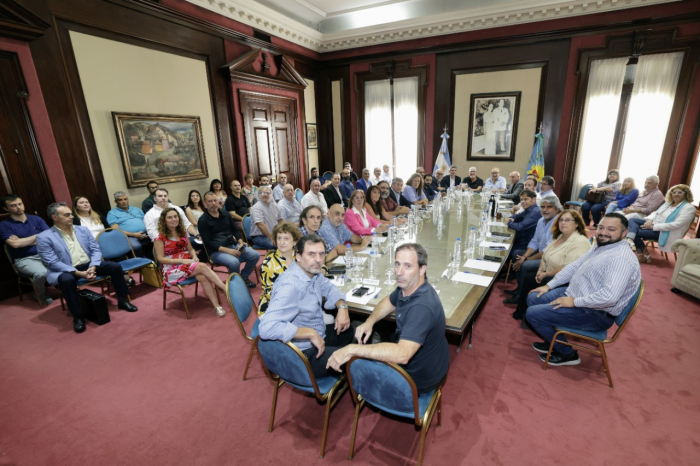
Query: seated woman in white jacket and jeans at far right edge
point(666, 225)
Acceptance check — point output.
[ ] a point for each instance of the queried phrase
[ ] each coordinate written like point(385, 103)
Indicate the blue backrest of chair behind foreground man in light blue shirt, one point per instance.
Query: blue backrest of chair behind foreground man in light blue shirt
point(288, 363)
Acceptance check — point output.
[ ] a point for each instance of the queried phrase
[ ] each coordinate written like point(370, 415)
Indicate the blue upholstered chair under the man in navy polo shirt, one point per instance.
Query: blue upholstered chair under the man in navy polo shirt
point(389, 387)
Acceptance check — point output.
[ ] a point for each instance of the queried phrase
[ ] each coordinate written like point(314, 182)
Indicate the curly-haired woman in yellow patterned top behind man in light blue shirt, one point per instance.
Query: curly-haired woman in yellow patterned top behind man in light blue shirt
point(276, 261)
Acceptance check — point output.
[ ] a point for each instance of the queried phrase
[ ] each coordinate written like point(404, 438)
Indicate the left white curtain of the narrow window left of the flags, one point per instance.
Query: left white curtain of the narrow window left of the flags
point(378, 146)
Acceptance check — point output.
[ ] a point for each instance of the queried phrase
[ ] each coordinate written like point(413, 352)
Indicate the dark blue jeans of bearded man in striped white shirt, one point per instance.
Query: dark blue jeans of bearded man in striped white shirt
point(544, 318)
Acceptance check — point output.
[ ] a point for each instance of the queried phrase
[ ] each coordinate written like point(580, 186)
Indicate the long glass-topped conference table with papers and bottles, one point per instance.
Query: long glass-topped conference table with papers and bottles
point(460, 300)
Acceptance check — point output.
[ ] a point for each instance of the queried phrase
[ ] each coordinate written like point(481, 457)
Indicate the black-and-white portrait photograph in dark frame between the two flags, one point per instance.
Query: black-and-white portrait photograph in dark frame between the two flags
point(493, 126)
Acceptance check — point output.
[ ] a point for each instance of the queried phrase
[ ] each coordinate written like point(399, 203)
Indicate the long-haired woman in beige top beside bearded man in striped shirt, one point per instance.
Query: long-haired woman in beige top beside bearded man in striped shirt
point(569, 242)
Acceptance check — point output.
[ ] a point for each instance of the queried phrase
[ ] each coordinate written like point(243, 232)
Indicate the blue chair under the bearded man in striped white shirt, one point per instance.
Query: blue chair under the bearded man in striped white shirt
point(599, 338)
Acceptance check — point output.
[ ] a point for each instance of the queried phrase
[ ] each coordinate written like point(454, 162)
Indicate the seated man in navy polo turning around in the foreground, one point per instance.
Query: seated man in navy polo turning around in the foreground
point(419, 344)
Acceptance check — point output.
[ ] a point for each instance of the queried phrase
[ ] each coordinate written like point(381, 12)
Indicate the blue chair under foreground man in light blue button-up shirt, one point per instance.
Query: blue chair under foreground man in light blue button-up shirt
point(286, 363)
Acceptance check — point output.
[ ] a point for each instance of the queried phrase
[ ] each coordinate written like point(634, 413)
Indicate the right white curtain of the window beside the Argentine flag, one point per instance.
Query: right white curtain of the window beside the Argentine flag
point(406, 126)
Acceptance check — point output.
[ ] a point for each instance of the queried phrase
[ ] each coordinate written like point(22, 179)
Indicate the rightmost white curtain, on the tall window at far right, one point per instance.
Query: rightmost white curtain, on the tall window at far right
point(649, 113)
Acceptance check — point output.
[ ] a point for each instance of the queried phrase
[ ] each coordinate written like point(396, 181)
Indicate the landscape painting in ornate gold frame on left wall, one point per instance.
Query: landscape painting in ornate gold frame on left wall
point(165, 148)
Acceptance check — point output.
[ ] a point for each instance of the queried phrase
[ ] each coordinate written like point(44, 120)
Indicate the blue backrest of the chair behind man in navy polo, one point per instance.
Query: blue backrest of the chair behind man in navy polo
point(385, 386)
